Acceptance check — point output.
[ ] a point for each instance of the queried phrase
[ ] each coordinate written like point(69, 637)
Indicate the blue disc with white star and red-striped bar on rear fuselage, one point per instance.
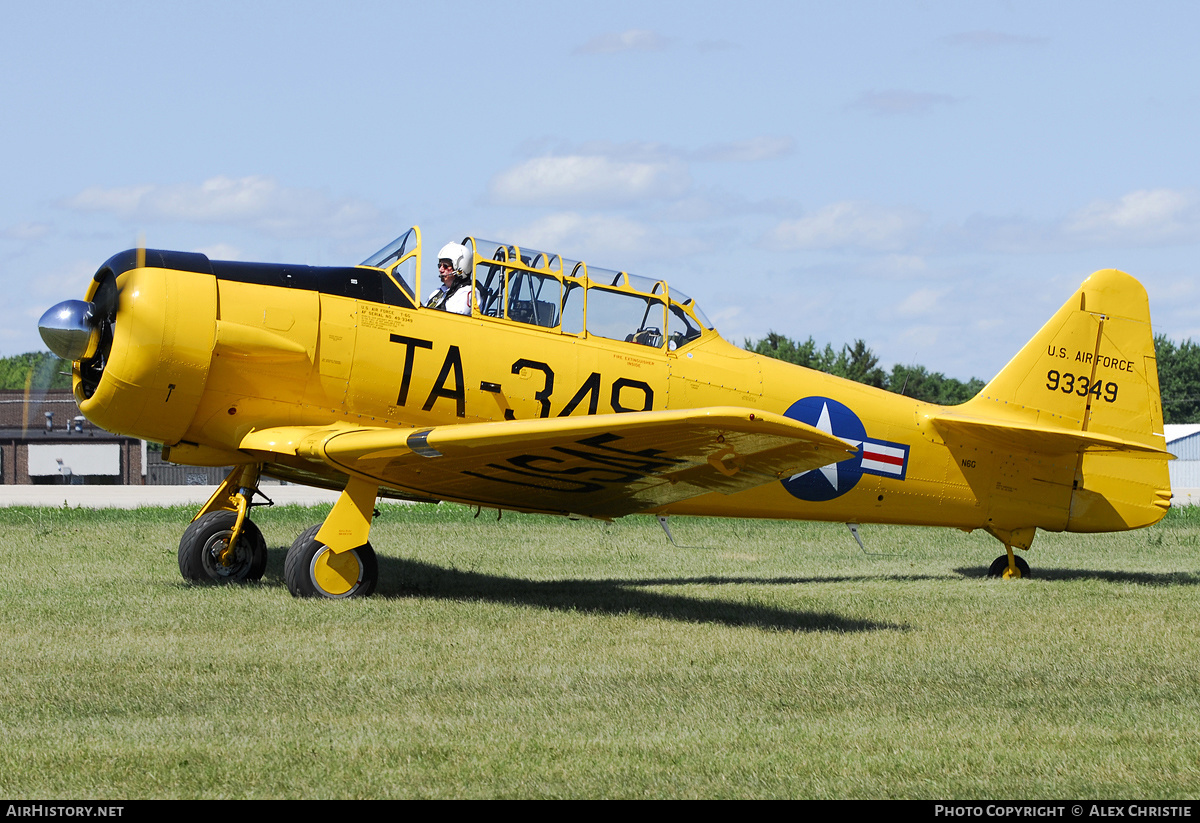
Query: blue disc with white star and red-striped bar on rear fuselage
point(875, 456)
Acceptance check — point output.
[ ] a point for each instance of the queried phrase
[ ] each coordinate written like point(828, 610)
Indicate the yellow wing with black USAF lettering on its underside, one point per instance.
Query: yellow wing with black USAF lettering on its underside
point(603, 466)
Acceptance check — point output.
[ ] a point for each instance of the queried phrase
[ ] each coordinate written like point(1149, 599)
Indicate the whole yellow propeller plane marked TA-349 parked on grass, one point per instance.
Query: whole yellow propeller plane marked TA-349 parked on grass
point(535, 383)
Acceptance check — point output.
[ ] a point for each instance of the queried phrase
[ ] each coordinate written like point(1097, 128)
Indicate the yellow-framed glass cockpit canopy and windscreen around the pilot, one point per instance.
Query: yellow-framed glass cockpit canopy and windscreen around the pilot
point(568, 297)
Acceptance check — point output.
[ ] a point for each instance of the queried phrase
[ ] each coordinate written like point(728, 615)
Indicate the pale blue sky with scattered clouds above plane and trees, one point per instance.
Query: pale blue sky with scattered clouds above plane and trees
point(933, 178)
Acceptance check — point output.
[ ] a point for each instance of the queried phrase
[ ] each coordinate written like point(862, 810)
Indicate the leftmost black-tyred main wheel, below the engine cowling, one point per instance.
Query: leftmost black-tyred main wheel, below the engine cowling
point(206, 557)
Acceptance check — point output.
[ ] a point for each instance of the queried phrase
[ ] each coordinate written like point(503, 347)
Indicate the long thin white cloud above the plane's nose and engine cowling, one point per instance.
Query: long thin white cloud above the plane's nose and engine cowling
point(259, 202)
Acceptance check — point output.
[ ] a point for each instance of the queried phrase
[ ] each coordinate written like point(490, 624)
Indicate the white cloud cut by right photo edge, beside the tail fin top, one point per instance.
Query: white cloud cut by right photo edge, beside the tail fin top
point(1142, 217)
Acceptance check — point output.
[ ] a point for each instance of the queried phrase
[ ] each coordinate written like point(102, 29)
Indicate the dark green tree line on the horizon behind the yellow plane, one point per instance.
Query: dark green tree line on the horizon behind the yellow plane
point(1179, 373)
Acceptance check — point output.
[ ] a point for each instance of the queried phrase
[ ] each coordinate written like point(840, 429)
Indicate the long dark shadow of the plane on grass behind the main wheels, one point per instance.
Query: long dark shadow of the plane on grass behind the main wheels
point(412, 579)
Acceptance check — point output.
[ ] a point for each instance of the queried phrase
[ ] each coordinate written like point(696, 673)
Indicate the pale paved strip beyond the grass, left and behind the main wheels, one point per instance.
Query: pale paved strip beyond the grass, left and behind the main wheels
point(136, 497)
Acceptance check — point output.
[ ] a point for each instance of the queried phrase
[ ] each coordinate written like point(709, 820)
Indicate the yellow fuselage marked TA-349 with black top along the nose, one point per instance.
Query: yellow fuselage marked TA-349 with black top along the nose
point(200, 359)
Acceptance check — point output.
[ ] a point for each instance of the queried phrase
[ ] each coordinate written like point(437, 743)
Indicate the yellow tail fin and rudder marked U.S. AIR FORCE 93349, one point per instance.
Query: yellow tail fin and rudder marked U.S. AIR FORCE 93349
point(1090, 379)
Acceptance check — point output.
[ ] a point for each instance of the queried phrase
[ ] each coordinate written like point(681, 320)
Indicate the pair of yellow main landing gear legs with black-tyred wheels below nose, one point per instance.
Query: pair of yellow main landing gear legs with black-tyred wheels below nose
point(224, 546)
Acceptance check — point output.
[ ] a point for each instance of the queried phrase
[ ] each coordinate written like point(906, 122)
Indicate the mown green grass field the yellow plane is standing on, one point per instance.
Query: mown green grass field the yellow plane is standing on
point(541, 658)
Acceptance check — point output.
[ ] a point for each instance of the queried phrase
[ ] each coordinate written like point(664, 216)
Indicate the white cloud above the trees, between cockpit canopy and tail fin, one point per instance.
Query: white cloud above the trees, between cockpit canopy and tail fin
point(849, 225)
